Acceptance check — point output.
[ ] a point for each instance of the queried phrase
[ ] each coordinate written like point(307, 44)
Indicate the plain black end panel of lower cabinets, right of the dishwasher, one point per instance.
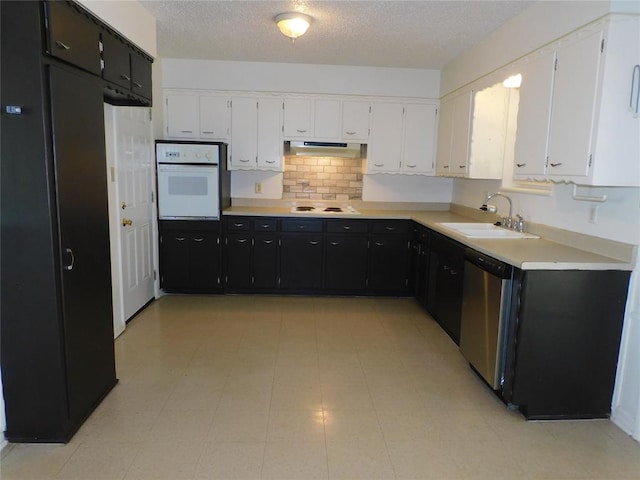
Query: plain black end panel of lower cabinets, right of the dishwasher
point(563, 344)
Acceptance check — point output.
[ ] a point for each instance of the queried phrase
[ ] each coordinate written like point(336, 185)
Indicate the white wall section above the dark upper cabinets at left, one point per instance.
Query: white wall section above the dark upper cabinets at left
point(130, 19)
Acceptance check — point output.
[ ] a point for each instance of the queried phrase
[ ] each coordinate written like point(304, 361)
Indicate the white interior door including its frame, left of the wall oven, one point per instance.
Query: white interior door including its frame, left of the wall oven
point(130, 163)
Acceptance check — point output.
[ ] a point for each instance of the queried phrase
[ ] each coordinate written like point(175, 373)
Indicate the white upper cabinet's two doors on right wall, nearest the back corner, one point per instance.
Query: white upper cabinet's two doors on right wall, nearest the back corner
point(453, 135)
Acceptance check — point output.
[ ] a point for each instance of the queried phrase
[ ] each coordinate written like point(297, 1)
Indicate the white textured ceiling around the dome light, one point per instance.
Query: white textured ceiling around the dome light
point(400, 34)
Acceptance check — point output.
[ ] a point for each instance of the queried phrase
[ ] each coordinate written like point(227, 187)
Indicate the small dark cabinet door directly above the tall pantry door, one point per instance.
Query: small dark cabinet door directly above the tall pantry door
point(73, 37)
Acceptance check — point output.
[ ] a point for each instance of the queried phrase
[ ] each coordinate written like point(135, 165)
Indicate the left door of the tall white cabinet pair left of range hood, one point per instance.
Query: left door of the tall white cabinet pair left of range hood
point(244, 133)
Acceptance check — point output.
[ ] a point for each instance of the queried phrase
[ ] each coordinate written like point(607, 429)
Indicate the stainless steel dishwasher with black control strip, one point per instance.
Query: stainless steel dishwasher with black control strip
point(485, 312)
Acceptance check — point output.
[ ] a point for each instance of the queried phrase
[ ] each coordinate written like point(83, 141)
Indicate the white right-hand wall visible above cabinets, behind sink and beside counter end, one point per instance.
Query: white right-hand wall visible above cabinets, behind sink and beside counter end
point(617, 219)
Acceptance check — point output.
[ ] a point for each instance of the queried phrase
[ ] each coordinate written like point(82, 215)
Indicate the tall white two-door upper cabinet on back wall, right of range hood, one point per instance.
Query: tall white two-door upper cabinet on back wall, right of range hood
point(402, 138)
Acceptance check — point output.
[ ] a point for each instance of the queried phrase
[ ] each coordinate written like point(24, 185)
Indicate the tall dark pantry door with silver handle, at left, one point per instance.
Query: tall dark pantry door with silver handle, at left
point(81, 186)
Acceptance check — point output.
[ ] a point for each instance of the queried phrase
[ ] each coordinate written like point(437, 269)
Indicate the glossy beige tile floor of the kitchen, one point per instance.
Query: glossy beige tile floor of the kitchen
point(244, 387)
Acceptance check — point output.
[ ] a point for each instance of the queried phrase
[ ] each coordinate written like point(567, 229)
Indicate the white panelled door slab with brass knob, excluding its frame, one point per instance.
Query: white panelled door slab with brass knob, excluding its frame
point(135, 175)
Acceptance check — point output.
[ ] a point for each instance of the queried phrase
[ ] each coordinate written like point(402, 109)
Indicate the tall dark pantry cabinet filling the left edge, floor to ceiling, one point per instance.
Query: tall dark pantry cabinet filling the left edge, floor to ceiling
point(56, 330)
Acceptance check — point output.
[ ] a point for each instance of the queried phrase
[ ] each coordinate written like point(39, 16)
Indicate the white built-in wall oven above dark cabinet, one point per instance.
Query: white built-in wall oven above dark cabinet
point(189, 180)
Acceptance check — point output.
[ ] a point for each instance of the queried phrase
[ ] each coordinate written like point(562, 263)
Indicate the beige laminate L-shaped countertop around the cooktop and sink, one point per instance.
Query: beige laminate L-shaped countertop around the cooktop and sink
point(526, 254)
